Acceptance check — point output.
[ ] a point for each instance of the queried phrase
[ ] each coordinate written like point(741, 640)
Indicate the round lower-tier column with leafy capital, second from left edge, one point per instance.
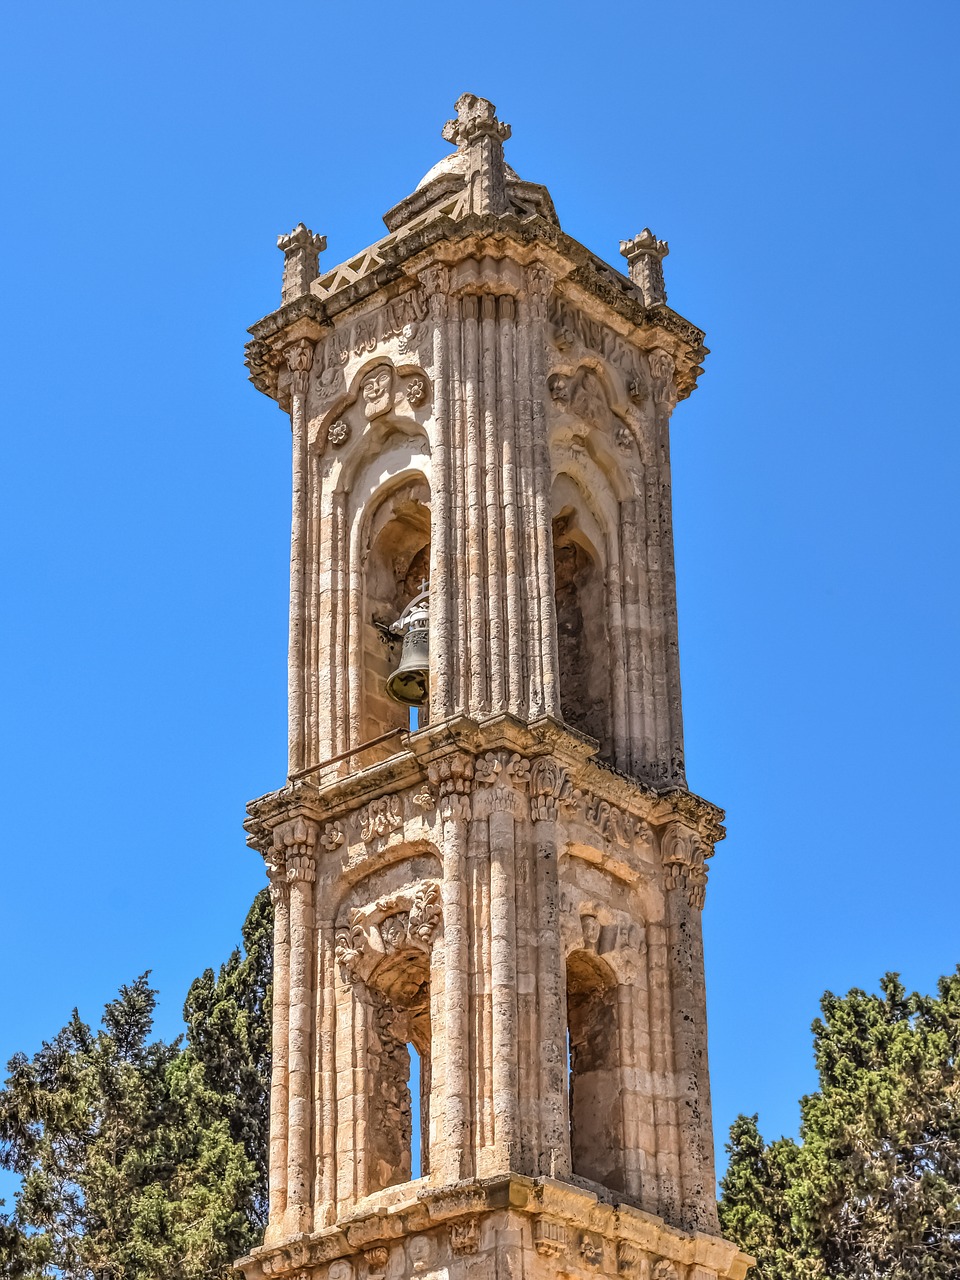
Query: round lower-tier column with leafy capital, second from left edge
point(299, 842)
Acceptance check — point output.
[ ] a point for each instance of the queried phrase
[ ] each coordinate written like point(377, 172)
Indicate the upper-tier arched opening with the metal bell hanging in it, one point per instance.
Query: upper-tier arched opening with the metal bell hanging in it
point(396, 566)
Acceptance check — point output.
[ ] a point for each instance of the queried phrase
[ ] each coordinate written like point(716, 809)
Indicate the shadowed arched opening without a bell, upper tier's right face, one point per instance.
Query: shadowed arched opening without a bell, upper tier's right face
point(582, 633)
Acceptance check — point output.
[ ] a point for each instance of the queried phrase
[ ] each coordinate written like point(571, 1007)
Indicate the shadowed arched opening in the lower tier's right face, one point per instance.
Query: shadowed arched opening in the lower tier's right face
point(596, 1105)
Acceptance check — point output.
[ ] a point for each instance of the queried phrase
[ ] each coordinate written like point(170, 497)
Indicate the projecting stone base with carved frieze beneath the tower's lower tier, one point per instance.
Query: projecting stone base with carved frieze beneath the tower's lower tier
point(502, 1228)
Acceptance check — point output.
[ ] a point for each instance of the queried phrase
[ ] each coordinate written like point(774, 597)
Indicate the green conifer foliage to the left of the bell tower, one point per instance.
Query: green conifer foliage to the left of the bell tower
point(141, 1160)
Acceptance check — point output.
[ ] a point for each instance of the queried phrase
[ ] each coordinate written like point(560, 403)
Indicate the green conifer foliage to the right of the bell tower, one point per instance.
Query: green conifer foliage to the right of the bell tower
point(874, 1187)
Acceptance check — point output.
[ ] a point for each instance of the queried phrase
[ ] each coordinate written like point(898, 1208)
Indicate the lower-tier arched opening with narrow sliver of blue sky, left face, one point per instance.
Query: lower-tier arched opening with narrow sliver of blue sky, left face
point(401, 1078)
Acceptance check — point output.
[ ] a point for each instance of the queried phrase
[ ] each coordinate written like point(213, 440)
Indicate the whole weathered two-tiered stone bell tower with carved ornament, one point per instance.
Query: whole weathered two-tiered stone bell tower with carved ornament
point(492, 902)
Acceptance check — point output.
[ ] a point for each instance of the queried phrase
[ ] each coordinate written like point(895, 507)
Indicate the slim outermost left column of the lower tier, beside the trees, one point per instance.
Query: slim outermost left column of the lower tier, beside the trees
point(280, 1101)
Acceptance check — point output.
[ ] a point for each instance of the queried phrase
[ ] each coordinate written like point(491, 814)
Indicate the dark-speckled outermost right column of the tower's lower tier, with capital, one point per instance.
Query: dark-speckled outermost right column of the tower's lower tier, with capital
point(683, 860)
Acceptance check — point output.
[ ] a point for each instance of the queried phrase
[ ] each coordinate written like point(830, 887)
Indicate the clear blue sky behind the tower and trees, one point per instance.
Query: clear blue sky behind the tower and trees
point(802, 162)
